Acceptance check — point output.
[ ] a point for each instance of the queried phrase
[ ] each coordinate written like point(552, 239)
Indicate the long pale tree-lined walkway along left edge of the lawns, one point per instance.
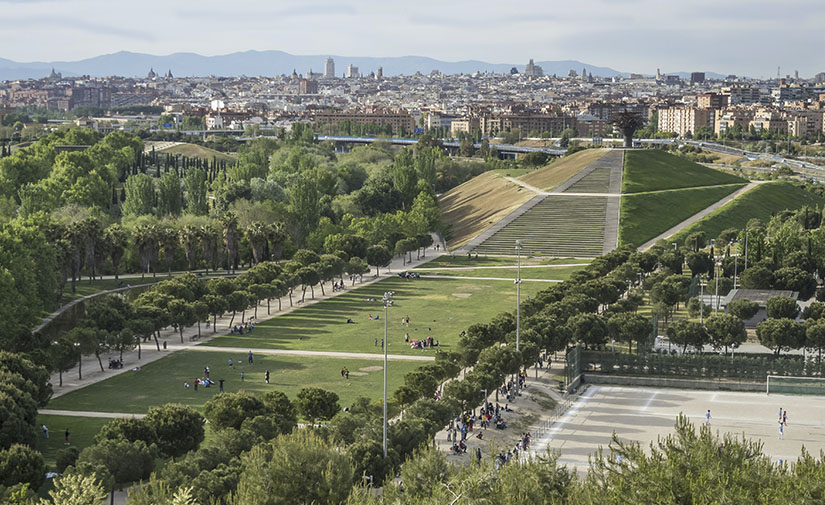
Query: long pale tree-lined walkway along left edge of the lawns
point(150, 353)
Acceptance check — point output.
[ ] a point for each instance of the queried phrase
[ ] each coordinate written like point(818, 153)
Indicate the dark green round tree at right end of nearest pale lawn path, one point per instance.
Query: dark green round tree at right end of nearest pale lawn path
point(179, 429)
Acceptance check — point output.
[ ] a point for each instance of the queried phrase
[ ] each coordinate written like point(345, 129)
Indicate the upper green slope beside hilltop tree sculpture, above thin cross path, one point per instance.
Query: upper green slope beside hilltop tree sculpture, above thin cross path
point(653, 170)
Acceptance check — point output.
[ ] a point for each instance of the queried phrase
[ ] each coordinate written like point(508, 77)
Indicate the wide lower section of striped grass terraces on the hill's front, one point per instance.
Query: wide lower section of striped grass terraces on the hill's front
point(556, 226)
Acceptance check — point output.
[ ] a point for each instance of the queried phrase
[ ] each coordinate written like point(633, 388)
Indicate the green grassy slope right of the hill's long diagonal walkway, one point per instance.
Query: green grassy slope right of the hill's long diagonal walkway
point(761, 203)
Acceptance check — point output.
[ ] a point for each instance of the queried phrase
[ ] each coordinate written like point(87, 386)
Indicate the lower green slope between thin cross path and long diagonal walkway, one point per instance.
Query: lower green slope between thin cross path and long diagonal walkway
point(646, 215)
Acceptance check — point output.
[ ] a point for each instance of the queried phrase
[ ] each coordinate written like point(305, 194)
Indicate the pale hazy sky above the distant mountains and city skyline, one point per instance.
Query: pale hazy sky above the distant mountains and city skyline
point(745, 37)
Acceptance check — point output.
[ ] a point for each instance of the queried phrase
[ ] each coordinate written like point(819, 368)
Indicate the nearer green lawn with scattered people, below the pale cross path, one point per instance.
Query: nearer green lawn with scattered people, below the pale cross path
point(162, 381)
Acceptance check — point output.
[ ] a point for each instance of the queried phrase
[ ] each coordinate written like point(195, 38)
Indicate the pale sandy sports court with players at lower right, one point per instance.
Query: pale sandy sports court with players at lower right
point(644, 414)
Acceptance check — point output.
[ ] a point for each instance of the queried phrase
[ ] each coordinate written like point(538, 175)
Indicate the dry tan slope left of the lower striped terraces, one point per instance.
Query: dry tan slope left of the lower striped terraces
point(470, 208)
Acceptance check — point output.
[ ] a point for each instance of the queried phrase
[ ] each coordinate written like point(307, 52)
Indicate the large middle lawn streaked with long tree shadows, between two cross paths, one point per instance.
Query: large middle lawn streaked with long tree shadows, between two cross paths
point(440, 308)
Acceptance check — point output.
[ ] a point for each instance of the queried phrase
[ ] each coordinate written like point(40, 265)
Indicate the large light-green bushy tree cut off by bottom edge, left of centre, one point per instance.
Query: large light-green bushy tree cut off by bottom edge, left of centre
point(269, 472)
